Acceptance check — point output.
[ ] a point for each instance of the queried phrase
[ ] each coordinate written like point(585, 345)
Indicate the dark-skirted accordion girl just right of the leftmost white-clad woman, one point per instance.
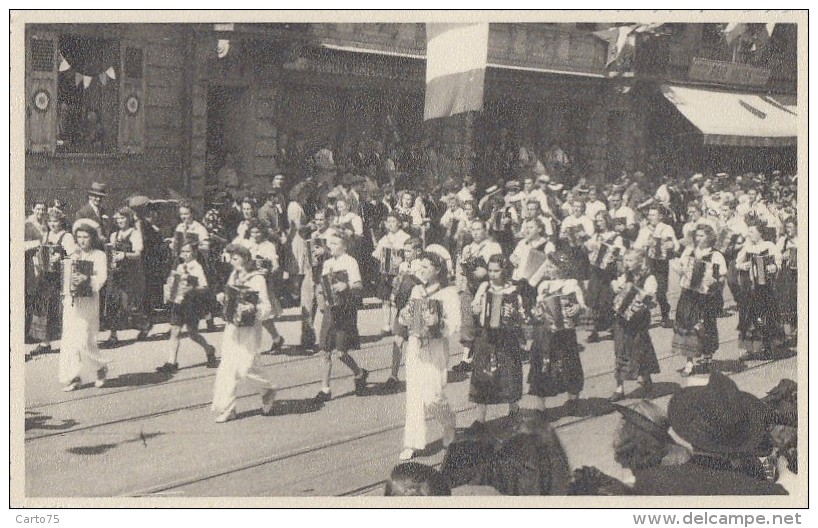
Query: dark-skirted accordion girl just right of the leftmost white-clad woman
point(123, 299)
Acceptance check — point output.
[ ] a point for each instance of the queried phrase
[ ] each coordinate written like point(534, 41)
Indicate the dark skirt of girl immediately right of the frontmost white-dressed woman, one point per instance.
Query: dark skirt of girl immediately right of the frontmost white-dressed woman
point(497, 369)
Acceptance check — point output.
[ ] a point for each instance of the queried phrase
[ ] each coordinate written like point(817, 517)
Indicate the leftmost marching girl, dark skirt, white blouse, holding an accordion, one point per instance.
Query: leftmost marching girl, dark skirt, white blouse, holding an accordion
point(46, 325)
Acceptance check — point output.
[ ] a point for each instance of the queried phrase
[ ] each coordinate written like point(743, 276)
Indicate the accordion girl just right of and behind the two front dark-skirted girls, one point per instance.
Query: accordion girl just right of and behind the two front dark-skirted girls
point(600, 293)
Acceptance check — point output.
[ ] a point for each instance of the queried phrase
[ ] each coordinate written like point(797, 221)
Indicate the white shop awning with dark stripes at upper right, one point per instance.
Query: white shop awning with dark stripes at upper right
point(736, 119)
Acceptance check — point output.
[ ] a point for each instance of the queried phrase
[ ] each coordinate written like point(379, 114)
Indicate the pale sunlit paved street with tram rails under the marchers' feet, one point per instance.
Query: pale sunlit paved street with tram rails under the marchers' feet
point(149, 434)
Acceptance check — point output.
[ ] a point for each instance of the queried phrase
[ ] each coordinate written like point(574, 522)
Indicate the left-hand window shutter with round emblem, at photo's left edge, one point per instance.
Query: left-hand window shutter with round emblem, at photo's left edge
point(41, 92)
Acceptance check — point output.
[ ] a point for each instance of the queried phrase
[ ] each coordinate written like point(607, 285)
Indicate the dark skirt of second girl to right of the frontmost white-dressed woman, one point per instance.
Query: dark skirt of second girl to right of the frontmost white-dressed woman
point(555, 364)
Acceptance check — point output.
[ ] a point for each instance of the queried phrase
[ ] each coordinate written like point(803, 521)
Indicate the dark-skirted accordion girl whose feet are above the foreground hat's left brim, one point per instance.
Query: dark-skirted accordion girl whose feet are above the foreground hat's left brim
point(697, 309)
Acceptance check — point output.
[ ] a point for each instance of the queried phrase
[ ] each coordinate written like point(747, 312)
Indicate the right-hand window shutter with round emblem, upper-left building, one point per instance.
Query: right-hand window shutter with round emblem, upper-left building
point(132, 109)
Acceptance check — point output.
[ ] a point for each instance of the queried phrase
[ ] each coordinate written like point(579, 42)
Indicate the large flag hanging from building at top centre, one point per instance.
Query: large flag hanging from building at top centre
point(456, 56)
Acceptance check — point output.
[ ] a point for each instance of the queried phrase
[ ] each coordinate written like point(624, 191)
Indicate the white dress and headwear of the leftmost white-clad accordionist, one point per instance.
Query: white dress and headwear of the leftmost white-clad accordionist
point(81, 323)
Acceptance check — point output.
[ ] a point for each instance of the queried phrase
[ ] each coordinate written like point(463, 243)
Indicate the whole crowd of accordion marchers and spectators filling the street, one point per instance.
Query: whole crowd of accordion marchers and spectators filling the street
point(500, 276)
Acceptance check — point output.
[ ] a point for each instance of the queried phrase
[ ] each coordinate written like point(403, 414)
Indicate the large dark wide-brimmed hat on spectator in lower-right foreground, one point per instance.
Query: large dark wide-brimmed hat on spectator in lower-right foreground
point(718, 417)
